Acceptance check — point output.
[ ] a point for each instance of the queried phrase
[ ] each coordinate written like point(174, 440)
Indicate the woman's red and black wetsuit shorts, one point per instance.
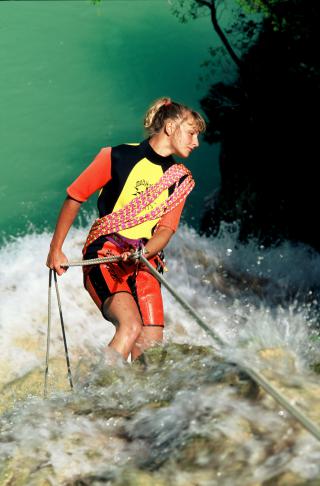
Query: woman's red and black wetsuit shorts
point(102, 281)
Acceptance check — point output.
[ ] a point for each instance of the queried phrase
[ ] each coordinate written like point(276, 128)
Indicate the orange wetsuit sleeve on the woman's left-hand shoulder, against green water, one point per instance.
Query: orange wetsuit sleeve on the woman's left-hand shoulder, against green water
point(94, 177)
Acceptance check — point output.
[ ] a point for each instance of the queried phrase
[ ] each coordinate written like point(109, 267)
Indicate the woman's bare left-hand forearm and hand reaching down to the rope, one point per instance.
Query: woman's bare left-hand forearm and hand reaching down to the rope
point(68, 213)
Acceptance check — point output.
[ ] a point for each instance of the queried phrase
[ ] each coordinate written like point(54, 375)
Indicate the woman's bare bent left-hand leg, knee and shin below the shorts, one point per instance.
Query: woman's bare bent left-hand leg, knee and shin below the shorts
point(122, 310)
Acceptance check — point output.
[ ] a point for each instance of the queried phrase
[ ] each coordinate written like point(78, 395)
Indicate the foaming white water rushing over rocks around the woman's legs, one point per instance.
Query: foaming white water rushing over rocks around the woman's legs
point(177, 423)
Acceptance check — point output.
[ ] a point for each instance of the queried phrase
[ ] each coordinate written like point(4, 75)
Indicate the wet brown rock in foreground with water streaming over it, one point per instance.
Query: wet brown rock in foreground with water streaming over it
point(180, 415)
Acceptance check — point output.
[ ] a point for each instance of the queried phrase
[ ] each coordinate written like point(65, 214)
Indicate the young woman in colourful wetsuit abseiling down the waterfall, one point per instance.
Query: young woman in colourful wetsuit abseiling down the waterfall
point(142, 194)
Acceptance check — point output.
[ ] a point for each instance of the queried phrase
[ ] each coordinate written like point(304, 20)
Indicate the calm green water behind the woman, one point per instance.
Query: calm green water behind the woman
point(75, 77)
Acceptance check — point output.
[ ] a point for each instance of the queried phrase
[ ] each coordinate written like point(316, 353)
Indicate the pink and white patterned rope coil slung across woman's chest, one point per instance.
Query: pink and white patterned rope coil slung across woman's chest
point(130, 216)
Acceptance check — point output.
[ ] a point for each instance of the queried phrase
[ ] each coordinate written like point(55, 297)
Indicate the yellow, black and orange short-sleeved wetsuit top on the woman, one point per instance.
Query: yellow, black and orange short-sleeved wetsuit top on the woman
point(121, 173)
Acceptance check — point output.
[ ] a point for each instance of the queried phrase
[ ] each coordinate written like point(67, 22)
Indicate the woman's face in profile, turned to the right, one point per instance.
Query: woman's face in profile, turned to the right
point(184, 137)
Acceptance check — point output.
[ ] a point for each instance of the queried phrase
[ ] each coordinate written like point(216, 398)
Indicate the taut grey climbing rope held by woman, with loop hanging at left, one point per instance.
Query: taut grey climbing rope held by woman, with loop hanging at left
point(252, 373)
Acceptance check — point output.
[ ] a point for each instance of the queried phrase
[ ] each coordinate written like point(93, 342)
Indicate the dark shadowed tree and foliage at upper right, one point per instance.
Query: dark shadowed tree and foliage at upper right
point(264, 122)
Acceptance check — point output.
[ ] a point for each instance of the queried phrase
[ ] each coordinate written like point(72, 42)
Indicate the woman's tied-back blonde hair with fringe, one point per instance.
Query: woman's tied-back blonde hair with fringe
point(164, 109)
